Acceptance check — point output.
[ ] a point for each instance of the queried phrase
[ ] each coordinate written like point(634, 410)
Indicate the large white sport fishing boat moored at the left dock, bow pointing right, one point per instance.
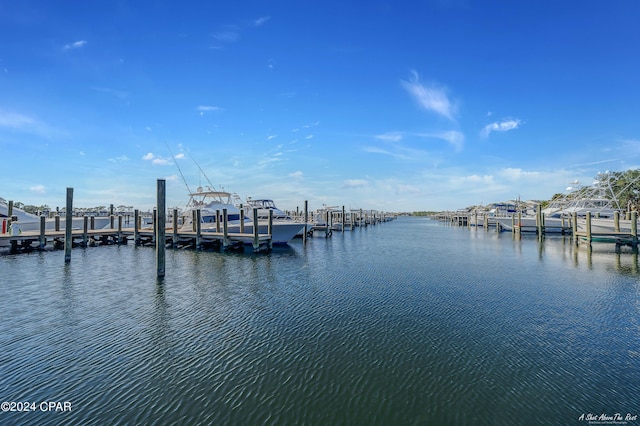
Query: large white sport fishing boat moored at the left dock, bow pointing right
point(212, 203)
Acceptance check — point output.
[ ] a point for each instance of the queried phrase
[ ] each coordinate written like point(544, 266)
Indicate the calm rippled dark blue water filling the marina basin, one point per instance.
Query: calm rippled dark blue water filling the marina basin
point(409, 322)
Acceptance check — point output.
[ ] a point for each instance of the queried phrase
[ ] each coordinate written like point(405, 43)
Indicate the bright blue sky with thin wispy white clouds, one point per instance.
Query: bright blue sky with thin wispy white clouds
point(387, 105)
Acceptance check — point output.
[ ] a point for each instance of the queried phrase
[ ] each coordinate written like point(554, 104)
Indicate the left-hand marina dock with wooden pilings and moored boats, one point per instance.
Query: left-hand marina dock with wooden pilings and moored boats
point(211, 220)
